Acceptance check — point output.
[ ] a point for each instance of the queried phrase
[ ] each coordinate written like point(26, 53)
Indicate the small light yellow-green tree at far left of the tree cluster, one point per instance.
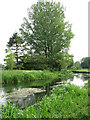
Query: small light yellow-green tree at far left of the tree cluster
point(10, 60)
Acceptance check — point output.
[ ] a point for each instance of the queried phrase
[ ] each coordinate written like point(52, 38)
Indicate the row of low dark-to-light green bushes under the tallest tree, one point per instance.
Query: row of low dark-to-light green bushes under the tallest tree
point(40, 62)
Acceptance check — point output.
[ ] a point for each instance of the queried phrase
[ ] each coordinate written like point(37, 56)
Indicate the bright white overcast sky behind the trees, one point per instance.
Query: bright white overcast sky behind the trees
point(12, 13)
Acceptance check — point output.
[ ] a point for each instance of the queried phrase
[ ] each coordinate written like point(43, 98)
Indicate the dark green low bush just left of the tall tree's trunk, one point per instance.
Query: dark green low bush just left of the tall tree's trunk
point(36, 62)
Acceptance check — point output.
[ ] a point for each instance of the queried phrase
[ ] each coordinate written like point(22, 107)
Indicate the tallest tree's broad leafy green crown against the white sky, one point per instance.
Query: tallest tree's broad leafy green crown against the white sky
point(45, 30)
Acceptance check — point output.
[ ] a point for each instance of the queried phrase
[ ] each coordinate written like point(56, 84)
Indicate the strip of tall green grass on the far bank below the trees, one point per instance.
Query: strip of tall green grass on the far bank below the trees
point(18, 76)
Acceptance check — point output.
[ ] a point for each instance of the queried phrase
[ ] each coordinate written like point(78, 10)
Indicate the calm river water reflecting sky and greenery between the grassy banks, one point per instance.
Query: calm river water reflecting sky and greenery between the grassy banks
point(78, 80)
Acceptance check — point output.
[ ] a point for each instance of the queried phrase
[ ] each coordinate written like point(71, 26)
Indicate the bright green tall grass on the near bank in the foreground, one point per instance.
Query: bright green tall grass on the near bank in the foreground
point(63, 102)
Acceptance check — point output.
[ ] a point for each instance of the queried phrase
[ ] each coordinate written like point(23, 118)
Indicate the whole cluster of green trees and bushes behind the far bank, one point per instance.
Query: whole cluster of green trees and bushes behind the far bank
point(43, 40)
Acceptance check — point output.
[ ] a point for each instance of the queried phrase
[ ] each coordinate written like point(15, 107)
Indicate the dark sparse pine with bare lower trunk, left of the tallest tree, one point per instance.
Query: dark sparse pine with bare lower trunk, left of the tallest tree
point(15, 43)
